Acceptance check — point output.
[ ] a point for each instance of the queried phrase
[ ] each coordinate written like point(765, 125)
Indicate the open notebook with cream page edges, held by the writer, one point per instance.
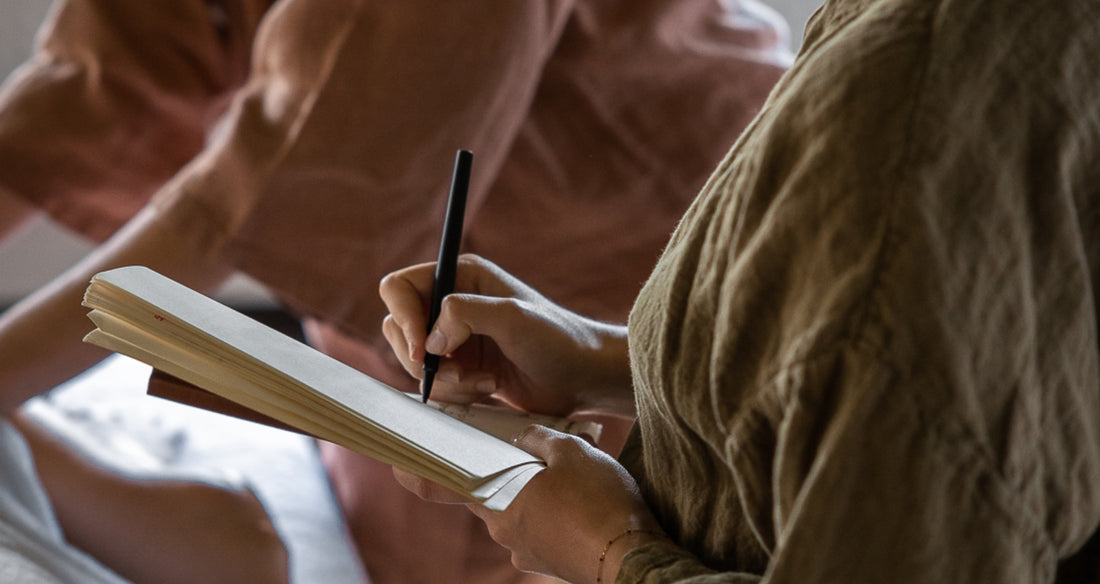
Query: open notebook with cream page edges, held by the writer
point(186, 335)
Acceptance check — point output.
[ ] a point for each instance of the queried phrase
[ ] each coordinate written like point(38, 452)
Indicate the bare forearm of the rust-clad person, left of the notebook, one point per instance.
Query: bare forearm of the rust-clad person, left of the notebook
point(41, 338)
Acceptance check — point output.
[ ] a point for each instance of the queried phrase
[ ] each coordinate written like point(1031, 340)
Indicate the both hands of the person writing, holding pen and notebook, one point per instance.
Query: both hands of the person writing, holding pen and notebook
point(507, 340)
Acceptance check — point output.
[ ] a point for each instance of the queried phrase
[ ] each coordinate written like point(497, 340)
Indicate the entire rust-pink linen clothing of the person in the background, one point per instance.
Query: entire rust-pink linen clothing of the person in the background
point(317, 159)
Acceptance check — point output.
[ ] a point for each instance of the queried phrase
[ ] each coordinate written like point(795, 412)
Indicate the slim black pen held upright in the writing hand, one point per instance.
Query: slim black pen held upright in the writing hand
point(447, 265)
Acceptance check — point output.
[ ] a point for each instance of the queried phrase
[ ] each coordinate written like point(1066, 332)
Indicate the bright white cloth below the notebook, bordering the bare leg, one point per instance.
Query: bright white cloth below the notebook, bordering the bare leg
point(107, 414)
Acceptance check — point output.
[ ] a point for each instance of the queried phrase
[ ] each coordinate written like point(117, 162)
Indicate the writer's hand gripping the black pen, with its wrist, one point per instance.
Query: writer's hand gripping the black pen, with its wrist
point(503, 339)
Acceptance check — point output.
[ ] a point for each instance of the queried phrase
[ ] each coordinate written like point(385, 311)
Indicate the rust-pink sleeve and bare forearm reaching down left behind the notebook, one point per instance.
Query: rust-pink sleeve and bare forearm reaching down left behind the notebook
point(249, 177)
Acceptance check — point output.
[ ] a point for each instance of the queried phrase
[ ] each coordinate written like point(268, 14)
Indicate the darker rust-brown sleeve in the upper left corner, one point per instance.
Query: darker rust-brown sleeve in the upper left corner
point(116, 98)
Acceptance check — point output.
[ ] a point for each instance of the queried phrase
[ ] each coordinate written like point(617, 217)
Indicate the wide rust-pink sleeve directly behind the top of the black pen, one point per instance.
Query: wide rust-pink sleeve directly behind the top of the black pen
point(340, 146)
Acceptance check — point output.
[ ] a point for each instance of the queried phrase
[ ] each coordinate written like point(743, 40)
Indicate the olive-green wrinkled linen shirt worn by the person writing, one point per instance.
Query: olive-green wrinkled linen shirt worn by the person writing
point(870, 354)
